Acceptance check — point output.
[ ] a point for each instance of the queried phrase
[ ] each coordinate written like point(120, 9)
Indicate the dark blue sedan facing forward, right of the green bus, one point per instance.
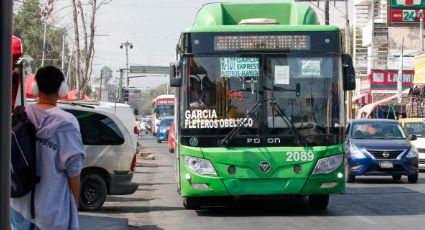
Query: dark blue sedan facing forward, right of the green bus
point(380, 147)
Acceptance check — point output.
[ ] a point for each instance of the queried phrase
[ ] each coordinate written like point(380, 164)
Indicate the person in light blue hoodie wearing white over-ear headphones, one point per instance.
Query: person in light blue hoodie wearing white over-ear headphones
point(60, 155)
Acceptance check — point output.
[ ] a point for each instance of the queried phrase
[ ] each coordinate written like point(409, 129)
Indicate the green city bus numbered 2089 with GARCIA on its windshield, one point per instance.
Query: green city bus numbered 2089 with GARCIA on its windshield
point(260, 104)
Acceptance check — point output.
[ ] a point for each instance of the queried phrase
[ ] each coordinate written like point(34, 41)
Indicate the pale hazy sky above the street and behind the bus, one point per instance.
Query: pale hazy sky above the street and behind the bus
point(153, 27)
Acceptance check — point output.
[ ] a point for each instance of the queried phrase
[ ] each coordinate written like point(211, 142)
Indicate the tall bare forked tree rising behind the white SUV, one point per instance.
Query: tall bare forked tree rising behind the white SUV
point(84, 16)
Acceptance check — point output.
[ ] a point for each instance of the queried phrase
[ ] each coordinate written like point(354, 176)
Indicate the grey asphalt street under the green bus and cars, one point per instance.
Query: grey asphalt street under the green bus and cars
point(369, 203)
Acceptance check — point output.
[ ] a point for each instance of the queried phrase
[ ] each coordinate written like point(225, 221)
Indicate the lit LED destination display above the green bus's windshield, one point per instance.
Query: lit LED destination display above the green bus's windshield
point(261, 42)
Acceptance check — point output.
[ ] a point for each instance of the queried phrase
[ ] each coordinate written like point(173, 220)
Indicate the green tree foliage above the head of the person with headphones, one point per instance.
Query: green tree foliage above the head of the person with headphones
point(28, 25)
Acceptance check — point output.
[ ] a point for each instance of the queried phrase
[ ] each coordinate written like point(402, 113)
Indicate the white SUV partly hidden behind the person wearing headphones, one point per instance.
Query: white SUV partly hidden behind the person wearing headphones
point(110, 156)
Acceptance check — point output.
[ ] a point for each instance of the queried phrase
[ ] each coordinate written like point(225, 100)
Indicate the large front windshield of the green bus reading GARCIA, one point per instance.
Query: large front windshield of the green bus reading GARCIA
point(221, 90)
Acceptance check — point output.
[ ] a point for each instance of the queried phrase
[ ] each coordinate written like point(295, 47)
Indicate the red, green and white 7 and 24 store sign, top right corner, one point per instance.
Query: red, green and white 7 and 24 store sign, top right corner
point(404, 11)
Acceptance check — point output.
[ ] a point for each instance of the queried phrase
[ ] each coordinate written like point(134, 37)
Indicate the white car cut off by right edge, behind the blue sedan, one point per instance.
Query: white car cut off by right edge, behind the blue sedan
point(416, 126)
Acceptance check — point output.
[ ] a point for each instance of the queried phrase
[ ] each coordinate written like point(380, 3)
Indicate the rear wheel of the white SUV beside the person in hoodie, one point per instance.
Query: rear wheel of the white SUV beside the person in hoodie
point(93, 192)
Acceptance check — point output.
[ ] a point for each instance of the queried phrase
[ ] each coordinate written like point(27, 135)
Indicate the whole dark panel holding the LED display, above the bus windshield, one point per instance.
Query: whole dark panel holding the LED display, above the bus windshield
point(293, 42)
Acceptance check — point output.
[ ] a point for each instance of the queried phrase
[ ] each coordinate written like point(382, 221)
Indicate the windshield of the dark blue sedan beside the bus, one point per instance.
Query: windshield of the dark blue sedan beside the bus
point(377, 130)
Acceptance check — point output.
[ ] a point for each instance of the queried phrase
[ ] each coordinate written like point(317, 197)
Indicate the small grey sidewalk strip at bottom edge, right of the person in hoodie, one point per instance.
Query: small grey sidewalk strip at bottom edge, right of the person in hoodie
point(102, 223)
